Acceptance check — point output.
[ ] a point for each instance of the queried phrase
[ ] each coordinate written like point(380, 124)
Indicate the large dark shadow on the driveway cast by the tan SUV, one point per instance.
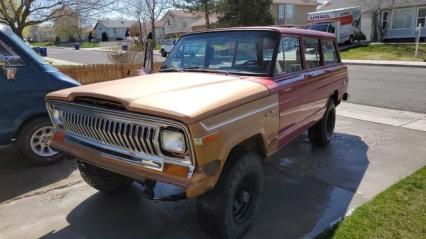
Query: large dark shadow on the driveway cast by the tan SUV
point(306, 189)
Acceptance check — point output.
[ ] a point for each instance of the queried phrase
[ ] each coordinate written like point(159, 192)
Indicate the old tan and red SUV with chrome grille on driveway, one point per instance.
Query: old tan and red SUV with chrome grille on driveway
point(224, 99)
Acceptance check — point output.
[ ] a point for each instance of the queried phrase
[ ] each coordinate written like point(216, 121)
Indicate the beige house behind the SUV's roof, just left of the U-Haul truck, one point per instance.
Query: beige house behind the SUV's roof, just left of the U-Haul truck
point(292, 12)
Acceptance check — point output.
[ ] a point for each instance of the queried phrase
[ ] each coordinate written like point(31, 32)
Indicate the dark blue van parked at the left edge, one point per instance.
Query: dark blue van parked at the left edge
point(25, 79)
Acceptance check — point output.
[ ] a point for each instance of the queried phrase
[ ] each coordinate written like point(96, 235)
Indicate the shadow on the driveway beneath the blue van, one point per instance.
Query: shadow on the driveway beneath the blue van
point(19, 177)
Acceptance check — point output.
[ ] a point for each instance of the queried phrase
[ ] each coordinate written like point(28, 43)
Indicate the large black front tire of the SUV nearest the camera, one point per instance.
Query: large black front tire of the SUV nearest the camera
point(229, 209)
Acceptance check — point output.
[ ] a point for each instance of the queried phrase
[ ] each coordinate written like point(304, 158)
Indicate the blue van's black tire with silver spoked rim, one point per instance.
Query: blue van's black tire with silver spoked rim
point(25, 141)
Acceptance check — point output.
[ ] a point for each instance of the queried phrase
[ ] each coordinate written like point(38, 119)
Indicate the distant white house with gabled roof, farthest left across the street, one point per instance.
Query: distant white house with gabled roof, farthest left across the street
point(114, 29)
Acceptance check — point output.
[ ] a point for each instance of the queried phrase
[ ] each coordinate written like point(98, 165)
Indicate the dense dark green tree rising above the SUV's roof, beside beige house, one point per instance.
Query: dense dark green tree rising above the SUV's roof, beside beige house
point(245, 13)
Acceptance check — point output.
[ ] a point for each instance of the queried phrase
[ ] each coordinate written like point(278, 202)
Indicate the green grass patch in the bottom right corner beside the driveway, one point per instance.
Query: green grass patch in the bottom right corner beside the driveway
point(399, 212)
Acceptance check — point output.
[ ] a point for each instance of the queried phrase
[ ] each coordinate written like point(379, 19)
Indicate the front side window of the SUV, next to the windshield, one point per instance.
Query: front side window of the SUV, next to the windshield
point(288, 58)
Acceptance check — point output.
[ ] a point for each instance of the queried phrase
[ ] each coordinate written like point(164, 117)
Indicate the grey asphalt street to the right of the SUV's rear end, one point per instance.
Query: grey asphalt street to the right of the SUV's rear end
point(401, 88)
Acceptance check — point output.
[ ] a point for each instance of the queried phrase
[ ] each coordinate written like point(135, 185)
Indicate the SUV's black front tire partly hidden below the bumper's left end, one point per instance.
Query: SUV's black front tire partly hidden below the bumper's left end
point(103, 180)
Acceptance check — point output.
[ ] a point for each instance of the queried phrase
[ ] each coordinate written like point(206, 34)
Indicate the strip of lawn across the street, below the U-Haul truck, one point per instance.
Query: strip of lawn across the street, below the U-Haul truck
point(397, 52)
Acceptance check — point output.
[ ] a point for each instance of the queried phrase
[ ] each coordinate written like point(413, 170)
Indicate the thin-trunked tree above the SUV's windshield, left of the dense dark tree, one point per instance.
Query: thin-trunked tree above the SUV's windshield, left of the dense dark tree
point(207, 7)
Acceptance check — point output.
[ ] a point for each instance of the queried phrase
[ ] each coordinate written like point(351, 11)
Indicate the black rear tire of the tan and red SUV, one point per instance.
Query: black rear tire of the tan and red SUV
point(322, 132)
